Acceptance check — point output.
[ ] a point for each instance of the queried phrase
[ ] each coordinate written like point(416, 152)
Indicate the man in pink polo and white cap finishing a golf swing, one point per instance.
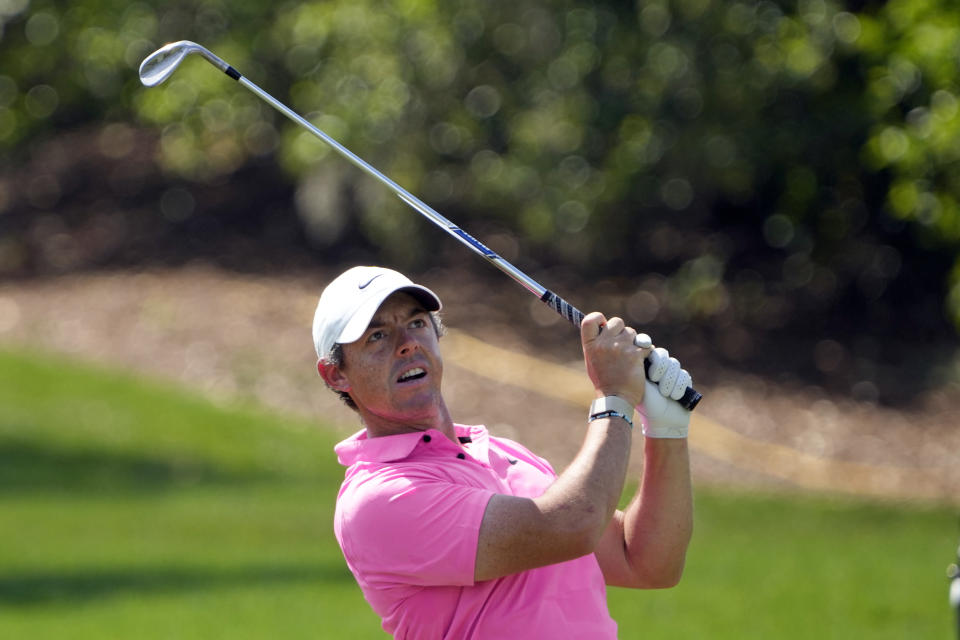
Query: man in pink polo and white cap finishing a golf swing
point(454, 533)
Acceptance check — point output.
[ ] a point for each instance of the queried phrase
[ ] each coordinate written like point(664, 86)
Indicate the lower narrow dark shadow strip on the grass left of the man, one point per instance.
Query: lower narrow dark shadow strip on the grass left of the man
point(42, 588)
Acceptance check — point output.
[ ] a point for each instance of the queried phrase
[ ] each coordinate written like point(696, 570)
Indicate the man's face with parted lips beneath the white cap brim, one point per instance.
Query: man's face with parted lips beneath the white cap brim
point(393, 372)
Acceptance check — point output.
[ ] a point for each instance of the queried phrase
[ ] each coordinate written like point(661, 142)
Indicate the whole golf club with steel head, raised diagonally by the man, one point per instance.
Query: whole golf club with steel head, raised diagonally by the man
point(161, 64)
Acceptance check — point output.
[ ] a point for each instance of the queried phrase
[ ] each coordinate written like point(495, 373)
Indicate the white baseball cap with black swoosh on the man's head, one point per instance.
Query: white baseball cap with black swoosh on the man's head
point(349, 303)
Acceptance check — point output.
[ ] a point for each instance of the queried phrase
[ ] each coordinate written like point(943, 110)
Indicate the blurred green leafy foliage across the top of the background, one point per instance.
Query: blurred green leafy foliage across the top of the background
point(755, 166)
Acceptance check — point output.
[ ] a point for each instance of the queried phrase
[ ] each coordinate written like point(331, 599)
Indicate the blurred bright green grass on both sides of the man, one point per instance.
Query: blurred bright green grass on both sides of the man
point(133, 508)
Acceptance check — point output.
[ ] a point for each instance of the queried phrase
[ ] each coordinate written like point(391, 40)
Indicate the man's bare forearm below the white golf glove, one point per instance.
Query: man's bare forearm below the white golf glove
point(658, 523)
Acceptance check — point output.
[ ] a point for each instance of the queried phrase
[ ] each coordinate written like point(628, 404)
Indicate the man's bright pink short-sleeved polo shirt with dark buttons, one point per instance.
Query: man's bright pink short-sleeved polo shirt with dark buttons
point(408, 518)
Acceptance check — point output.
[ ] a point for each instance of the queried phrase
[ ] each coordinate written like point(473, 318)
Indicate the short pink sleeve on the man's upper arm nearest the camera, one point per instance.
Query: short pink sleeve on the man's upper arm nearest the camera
point(411, 527)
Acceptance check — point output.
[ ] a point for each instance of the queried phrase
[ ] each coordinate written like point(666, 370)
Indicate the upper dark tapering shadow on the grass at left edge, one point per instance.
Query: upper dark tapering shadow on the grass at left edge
point(27, 466)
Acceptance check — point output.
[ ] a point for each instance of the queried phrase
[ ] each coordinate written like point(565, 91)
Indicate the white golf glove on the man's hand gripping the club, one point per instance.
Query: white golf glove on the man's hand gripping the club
point(660, 413)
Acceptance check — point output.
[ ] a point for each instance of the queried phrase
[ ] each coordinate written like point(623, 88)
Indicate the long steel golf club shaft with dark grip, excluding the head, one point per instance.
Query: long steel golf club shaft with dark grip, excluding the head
point(573, 315)
